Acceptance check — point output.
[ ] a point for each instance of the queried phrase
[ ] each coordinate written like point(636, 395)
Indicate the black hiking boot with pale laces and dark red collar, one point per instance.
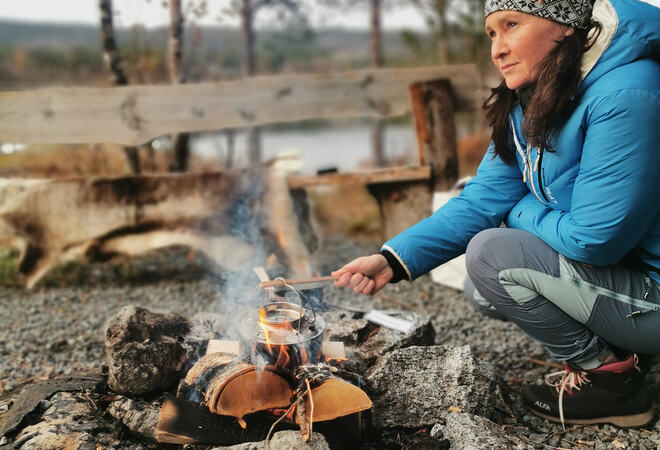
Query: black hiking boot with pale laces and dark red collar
point(613, 393)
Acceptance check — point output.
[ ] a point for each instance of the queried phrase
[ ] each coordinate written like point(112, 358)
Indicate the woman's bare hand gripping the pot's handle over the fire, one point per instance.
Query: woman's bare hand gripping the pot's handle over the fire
point(365, 275)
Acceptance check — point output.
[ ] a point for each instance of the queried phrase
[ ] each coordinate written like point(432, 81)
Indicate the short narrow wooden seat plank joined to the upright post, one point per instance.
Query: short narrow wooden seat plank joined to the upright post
point(376, 176)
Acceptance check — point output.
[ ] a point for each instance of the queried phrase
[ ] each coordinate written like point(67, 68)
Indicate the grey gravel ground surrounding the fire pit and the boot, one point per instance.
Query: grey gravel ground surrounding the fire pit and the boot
point(57, 330)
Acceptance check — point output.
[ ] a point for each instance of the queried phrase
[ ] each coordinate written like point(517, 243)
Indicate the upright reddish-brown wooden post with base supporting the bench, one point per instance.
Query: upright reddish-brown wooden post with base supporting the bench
point(404, 204)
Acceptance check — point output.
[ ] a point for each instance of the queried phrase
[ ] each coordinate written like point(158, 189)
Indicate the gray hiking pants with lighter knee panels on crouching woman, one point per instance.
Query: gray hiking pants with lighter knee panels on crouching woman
point(579, 312)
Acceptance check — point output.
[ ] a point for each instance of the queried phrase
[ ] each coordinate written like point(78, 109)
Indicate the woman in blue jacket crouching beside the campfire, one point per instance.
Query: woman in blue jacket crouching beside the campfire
point(573, 172)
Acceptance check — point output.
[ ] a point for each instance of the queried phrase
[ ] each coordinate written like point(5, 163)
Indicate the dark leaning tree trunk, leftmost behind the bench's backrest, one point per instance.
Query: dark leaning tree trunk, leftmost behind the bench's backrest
point(113, 59)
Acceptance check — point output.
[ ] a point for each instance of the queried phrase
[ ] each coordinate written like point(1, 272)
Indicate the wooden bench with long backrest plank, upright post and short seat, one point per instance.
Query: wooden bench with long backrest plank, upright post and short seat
point(133, 115)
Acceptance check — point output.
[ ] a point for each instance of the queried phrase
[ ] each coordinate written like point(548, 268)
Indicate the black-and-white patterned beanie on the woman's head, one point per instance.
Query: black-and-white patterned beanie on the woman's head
point(575, 13)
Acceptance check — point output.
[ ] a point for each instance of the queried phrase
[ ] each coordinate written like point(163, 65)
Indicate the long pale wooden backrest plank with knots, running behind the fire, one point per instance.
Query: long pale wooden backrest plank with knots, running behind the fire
point(132, 115)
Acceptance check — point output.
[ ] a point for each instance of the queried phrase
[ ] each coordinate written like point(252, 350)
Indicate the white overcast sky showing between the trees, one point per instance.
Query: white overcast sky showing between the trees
point(152, 13)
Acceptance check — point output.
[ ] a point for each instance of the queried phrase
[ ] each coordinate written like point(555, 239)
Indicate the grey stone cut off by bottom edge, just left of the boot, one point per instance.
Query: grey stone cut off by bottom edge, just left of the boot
point(471, 432)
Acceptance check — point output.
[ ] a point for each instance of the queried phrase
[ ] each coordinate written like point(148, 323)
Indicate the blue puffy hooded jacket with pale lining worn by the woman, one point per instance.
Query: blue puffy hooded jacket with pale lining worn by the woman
point(596, 198)
